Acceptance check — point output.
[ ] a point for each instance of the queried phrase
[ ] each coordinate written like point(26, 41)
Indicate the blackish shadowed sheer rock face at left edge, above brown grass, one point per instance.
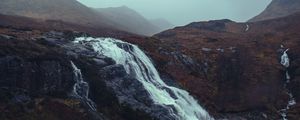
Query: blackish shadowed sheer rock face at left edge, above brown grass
point(35, 76)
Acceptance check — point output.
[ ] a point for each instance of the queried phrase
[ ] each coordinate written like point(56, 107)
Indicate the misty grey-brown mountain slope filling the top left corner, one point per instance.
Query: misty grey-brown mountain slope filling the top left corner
point(65, 10)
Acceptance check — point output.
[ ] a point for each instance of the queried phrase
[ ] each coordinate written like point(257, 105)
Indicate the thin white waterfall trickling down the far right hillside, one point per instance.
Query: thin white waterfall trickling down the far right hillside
point(286, 63)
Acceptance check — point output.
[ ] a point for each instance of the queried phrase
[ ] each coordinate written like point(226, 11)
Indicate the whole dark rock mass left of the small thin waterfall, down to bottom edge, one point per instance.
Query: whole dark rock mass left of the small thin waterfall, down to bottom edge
point(28, 78)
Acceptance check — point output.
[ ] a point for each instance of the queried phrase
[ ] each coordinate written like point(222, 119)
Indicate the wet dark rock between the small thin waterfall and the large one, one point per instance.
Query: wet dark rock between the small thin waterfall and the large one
point(131, 93)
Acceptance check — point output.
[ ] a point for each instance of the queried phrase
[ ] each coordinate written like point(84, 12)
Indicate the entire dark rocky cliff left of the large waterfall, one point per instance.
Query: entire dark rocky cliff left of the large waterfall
point(37, 81)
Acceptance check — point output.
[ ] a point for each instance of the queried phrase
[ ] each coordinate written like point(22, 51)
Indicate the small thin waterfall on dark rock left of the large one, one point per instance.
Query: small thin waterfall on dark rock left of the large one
point(81, 88)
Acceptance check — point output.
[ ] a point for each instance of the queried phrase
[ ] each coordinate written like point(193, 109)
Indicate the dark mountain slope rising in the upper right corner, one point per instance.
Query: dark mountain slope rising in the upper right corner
point(278, 8)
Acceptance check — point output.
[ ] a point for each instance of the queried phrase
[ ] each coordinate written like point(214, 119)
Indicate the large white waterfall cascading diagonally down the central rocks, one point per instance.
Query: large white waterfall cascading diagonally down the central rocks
point(136, 63)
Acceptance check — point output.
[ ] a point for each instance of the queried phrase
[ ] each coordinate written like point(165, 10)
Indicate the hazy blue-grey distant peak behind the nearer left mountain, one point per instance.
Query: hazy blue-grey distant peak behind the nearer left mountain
point(130, 19)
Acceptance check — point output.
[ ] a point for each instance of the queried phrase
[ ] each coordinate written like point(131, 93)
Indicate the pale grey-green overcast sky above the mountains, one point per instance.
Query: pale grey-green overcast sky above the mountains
point(181, 12)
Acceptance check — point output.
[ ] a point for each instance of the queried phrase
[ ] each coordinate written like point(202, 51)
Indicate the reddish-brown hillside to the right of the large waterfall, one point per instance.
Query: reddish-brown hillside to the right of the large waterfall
point(234, 68)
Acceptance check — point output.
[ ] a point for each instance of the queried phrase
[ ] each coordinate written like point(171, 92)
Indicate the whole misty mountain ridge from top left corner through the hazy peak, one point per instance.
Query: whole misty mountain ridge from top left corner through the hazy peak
point(119, 18)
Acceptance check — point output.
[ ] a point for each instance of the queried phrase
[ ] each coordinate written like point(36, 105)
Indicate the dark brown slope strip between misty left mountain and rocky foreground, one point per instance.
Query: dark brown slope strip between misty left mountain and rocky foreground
point(48, 25)
